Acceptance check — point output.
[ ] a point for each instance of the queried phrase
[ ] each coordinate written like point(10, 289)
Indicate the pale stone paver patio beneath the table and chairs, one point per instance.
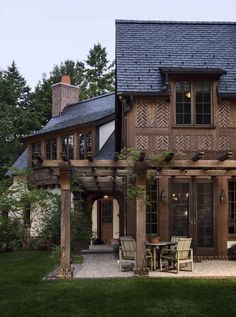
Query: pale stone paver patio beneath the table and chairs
point(105, 265)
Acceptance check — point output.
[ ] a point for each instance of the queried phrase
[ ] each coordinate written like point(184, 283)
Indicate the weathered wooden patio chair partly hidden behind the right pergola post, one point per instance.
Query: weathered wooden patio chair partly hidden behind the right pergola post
point(127, 251)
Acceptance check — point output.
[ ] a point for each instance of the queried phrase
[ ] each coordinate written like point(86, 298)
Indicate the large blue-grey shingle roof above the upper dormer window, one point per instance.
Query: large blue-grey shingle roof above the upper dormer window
point(143, 47)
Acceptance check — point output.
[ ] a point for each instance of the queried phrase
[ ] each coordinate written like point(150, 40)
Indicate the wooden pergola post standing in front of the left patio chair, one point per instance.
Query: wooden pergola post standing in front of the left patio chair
point(141, 218)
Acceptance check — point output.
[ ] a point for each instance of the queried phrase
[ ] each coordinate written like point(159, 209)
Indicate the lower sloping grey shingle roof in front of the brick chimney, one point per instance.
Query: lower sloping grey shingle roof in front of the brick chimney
point(86, 111)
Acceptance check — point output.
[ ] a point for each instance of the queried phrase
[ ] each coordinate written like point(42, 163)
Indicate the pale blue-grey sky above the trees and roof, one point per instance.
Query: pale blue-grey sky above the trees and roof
point(38, 34)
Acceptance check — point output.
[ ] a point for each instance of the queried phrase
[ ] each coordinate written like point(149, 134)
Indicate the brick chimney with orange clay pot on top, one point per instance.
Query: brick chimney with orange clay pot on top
point(63, 94)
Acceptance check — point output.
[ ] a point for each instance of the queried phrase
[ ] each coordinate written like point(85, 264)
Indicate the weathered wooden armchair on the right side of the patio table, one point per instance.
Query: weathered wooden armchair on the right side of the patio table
point(182, 254)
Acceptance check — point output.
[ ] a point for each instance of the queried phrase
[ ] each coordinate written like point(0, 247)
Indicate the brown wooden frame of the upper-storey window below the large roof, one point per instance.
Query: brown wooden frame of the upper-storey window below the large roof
point(193, 83)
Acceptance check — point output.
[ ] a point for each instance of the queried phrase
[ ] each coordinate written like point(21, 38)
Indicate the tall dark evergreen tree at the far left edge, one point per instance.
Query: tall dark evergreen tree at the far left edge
point(16, 114)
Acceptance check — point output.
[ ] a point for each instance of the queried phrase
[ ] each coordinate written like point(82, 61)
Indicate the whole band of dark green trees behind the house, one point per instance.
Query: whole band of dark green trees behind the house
point(23, 111)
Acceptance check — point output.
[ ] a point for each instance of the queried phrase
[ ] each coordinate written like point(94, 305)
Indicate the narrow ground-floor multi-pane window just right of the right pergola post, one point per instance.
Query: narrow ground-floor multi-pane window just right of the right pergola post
point(151, 208)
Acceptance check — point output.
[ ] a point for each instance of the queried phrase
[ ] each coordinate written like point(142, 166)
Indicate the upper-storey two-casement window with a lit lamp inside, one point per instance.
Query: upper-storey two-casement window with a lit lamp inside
point(193, 102)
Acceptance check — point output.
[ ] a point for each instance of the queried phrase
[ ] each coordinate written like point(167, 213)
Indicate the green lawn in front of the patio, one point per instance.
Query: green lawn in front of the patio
point(24, 293)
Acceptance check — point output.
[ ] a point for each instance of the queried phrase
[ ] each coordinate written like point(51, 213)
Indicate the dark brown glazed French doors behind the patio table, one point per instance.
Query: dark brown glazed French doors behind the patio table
point(192, 213)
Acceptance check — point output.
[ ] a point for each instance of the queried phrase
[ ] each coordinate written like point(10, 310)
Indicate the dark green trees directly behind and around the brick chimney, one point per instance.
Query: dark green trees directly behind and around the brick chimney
point(94, 77)
